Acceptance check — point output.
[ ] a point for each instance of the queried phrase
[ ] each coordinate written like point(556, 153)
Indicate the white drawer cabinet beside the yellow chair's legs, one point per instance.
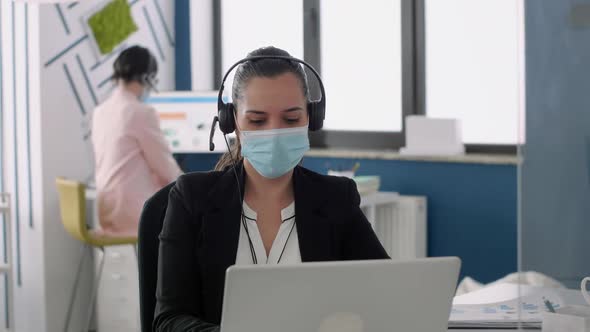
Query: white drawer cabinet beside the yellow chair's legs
point(118, 296)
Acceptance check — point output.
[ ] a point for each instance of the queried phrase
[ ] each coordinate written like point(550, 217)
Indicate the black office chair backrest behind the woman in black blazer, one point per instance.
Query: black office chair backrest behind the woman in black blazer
point(150, 225)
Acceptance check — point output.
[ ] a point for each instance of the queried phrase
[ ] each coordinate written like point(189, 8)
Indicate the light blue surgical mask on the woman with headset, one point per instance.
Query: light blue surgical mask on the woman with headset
point(274, 152)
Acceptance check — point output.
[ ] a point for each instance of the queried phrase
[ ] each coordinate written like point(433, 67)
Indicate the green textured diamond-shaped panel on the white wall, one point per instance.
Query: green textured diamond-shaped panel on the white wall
point(112, 25)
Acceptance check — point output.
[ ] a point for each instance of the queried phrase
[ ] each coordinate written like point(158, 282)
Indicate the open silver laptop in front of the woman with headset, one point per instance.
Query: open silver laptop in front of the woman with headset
point(354, 296)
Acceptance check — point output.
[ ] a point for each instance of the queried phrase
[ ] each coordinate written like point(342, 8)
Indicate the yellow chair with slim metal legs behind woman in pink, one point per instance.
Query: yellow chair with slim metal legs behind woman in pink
point(72, 203)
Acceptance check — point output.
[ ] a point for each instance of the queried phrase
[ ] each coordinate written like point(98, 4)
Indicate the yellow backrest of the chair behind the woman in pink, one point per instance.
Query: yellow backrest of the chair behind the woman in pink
point(72, 205)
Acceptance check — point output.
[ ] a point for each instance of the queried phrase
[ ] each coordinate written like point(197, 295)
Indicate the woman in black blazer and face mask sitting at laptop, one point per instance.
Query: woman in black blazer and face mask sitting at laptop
point(288, 214)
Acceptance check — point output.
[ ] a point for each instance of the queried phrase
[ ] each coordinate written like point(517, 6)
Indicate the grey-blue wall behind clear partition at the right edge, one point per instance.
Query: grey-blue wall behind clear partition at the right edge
point(556, 172)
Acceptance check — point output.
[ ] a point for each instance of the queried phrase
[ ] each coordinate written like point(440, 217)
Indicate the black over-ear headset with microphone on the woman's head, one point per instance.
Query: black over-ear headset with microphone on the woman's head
point(226, 111)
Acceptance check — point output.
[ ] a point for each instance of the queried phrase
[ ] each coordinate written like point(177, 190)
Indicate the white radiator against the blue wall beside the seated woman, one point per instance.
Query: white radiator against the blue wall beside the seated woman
point(399, 222)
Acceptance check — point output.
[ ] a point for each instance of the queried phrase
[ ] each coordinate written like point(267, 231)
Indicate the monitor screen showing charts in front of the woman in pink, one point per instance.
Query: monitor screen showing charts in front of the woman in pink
point(186, 118)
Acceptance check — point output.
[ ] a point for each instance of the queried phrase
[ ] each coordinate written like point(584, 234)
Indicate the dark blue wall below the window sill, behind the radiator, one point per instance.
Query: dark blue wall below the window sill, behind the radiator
point(471, 207)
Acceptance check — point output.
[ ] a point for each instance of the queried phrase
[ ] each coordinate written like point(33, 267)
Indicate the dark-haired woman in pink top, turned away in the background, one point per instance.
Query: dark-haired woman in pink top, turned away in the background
point(133, 159)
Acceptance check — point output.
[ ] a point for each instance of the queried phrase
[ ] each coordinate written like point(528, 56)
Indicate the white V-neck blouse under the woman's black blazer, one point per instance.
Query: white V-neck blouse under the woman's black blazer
point(285, 247)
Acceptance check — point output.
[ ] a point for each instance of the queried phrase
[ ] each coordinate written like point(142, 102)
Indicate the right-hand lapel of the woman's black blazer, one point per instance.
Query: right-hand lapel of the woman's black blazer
point(314, 231)
